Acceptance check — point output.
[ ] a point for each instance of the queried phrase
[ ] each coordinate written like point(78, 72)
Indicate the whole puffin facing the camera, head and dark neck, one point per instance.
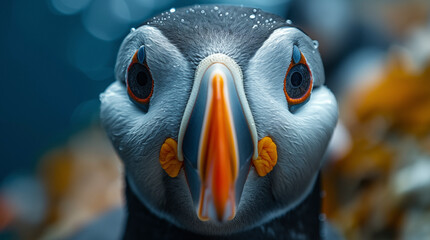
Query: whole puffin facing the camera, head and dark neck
point(221, 118)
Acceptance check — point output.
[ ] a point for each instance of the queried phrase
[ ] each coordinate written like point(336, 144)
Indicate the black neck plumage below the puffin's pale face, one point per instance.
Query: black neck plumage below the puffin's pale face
point(303, 222)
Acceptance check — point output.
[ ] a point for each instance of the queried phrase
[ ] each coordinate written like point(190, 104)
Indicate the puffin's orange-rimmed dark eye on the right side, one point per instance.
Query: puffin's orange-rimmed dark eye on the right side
point(298, 80)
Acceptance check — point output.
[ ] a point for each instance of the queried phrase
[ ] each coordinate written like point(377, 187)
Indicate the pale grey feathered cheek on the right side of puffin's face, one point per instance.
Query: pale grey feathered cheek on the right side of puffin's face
point(301, 137)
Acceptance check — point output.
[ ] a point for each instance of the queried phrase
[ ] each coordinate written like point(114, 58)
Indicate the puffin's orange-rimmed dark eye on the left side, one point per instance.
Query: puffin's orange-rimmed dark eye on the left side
point(140, 84)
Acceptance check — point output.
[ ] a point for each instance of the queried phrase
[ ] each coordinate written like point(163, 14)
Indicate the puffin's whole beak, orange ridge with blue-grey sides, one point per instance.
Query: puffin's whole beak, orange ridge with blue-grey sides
point(217, 146)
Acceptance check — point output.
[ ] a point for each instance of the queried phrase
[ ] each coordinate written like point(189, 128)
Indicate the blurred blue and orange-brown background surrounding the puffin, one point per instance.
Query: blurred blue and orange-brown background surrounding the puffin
point(58, 172)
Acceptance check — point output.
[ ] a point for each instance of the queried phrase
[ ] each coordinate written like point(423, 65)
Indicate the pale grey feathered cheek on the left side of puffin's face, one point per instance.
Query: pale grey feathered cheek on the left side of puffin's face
point(138, 136)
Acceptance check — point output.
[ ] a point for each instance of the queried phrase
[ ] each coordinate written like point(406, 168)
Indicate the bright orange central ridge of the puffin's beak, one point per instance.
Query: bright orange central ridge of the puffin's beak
point(218, 160)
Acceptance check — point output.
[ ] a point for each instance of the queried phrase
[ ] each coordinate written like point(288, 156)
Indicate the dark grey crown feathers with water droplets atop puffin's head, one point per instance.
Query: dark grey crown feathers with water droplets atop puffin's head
point(200, 31)
